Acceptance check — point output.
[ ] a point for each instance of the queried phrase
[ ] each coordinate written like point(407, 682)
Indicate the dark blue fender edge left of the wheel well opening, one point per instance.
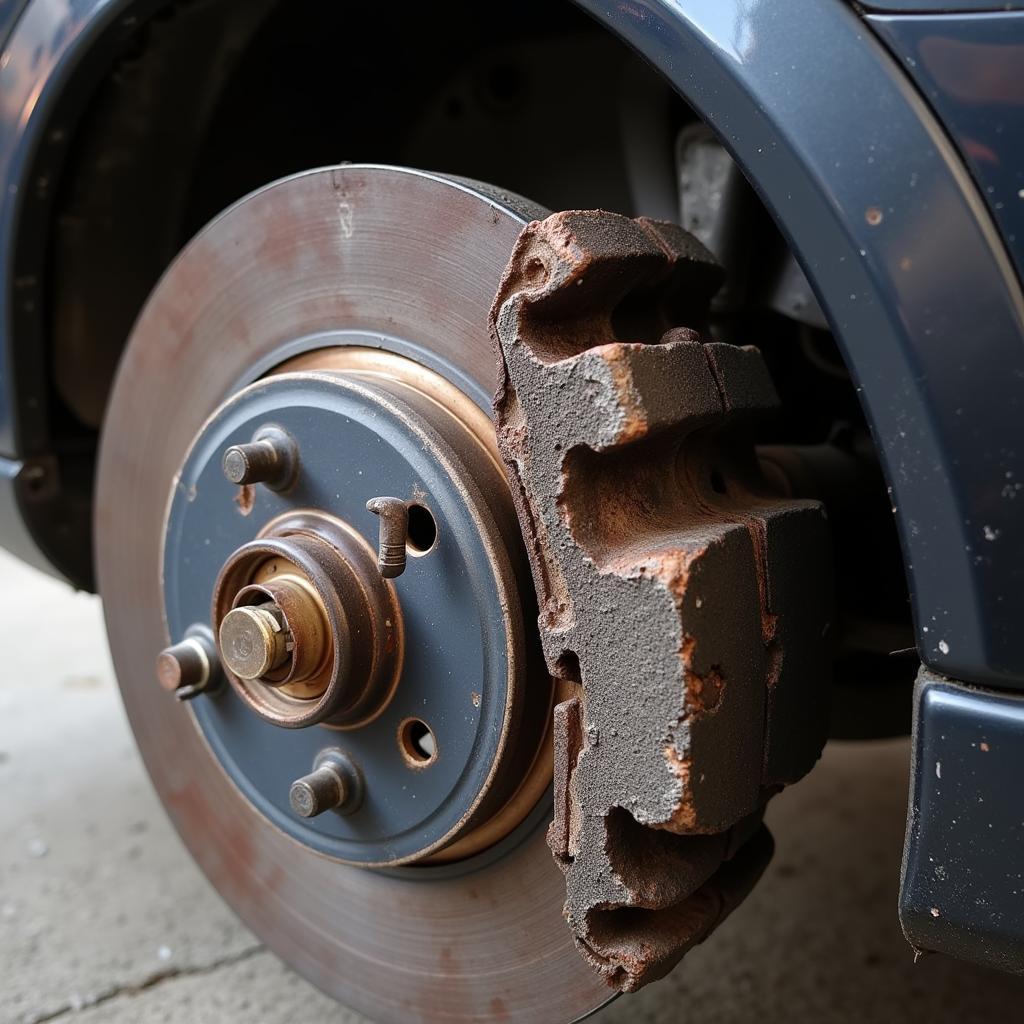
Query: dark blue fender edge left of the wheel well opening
point(47, 45)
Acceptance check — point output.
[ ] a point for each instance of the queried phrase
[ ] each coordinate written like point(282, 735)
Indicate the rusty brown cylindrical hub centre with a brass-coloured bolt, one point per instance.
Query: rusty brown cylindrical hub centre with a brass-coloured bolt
point(309, 631)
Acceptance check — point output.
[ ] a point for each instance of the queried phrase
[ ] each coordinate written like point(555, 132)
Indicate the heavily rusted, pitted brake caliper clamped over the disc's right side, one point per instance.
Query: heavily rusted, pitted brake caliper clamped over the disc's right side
point(688, 596)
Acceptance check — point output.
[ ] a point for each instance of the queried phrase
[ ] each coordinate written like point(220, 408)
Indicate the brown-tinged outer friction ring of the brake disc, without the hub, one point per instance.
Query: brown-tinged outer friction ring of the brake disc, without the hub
point(412, 261)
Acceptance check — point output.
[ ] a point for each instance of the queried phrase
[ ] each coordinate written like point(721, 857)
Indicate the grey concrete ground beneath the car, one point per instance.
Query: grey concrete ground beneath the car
point(104, 918)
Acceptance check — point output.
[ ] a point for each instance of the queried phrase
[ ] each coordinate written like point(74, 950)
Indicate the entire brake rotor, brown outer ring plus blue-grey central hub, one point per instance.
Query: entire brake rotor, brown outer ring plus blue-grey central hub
point(347, 309)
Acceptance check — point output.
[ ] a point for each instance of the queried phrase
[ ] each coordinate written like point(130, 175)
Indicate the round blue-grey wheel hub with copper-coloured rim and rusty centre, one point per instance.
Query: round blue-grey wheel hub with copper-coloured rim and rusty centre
point(442, 715)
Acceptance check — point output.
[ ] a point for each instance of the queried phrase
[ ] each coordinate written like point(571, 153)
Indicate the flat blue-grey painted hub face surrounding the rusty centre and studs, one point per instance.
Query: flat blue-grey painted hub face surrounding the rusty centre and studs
point(353, 448)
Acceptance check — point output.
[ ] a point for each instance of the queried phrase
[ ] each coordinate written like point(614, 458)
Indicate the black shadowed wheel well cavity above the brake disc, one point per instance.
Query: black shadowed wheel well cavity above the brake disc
point(214, 100)
